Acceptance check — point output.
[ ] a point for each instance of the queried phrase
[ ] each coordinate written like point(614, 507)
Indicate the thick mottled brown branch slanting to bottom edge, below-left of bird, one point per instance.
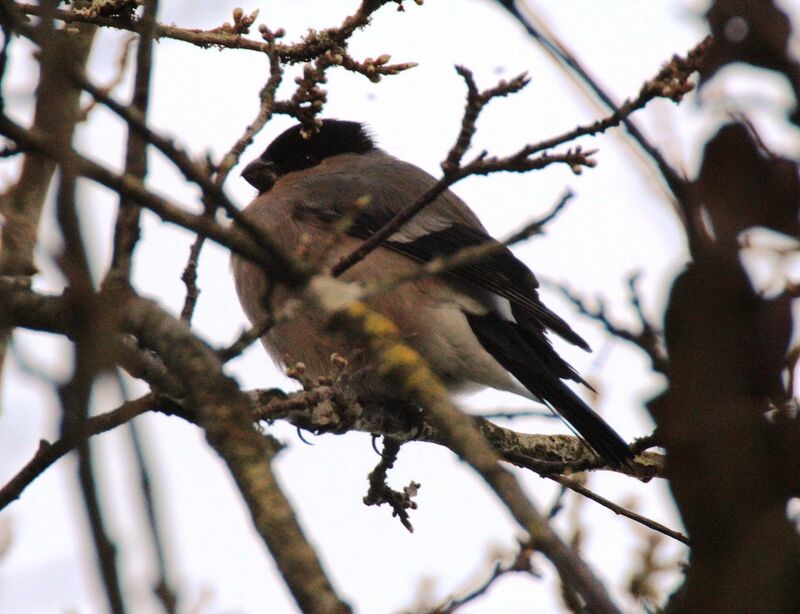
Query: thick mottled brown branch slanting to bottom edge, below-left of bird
point(224, 413)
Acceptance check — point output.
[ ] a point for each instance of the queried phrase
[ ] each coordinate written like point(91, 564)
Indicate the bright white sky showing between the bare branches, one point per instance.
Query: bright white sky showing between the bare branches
point(619, 223)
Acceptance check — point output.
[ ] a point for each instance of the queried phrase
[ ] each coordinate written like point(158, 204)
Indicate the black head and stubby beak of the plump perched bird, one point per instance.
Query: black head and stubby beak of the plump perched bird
point(294, 150)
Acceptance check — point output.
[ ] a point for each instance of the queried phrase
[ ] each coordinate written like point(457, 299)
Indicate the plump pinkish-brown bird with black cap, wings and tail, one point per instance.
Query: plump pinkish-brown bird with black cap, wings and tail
point(479, 325)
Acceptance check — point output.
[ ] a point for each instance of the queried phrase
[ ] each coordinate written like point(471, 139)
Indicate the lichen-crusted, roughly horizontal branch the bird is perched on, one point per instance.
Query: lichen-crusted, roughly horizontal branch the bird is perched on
point(323, 408)
